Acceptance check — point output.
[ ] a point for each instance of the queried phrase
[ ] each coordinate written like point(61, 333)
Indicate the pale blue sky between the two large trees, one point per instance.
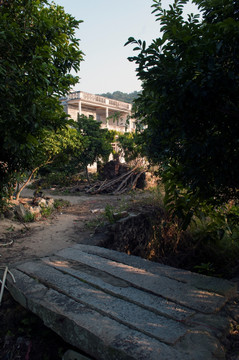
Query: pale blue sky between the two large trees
point(107, 25)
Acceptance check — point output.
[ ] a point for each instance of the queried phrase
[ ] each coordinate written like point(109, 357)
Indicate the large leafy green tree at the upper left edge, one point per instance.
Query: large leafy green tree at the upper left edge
point(38, 49)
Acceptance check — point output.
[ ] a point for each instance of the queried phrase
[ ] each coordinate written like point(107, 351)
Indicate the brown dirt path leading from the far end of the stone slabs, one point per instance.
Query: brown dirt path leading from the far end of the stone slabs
point(59, 231)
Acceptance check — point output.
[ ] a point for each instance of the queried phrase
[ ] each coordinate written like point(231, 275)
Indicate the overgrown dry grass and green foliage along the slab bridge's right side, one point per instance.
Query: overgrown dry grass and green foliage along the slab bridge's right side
point(208, 245)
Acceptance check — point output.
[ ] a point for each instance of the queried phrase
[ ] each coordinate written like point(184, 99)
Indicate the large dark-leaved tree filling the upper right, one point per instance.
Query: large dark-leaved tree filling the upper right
point(190, 97)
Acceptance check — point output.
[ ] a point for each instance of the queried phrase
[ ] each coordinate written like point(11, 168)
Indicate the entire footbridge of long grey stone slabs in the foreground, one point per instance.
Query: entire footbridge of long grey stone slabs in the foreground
point(115, 306)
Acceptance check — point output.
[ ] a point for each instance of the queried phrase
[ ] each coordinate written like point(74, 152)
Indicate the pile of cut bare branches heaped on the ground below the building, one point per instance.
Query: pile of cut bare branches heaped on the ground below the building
point(119, 185)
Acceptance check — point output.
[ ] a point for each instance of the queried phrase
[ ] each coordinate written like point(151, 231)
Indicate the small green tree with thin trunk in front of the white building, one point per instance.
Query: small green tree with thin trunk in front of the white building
point(96, 142)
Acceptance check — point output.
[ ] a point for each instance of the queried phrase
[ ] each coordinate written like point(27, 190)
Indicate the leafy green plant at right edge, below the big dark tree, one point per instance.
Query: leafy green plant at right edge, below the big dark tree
point(215, 230)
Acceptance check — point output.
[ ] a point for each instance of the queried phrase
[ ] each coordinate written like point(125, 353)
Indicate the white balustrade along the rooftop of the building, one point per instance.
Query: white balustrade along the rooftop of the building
point(97, 99)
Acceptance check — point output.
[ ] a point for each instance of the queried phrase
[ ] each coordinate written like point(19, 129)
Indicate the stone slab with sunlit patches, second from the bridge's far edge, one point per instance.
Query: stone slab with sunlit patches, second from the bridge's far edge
point(176, 291)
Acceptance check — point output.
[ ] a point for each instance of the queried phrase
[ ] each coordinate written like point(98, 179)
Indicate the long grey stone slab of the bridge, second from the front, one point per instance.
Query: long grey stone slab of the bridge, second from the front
point(125, 312)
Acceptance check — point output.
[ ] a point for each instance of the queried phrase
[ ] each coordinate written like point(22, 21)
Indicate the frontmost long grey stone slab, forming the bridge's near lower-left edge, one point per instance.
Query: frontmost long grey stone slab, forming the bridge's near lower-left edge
point(99, 336)
